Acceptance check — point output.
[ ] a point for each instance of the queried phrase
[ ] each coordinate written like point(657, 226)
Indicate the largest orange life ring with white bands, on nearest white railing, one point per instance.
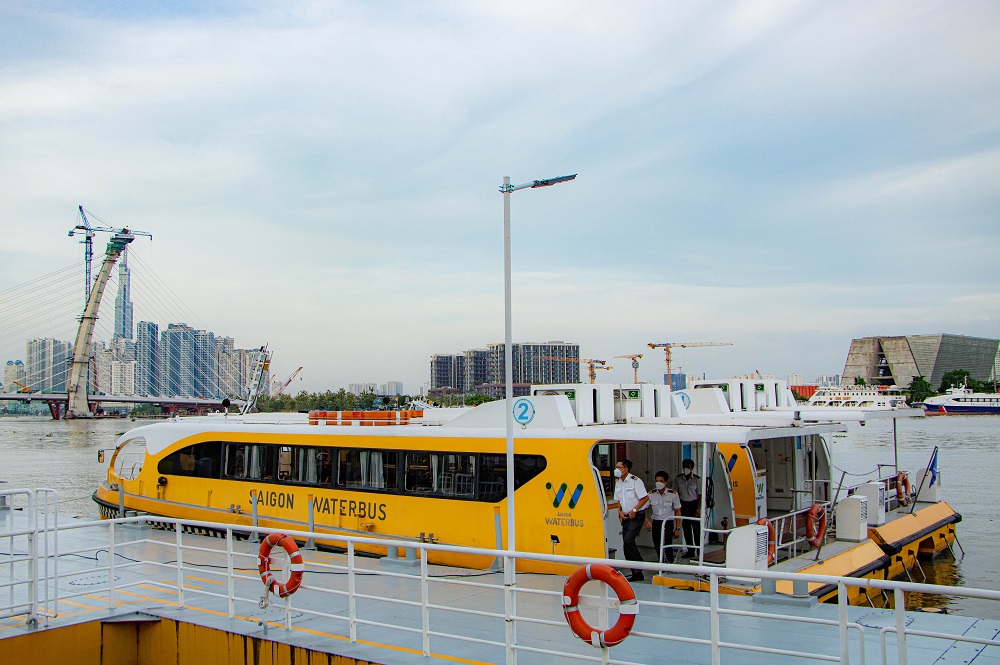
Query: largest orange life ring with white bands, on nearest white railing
point(628, 606)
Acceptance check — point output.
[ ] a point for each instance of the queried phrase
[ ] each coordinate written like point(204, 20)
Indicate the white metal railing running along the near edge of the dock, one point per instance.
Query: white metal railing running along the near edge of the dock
point(225, 566)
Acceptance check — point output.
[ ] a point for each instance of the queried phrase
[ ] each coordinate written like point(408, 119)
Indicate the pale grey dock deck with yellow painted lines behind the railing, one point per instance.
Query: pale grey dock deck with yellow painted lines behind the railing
point(396, 606)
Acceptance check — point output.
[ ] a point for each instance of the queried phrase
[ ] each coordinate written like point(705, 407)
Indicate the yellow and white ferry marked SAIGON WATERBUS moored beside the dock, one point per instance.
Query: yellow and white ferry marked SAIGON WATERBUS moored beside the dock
point(440, 476)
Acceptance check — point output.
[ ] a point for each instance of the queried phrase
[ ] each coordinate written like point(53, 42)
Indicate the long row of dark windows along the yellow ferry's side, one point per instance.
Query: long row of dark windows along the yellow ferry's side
point(476, 476)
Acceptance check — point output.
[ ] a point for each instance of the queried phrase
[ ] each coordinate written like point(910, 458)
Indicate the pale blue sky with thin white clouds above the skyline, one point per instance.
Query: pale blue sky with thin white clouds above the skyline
point(323, 176)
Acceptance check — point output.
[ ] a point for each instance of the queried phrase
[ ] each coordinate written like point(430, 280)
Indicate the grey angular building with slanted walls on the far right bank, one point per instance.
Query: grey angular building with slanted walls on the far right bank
point(897, 360)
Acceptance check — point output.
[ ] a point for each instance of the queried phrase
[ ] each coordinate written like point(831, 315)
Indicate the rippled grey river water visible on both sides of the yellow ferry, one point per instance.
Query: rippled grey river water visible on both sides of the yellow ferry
point(62, 455)
